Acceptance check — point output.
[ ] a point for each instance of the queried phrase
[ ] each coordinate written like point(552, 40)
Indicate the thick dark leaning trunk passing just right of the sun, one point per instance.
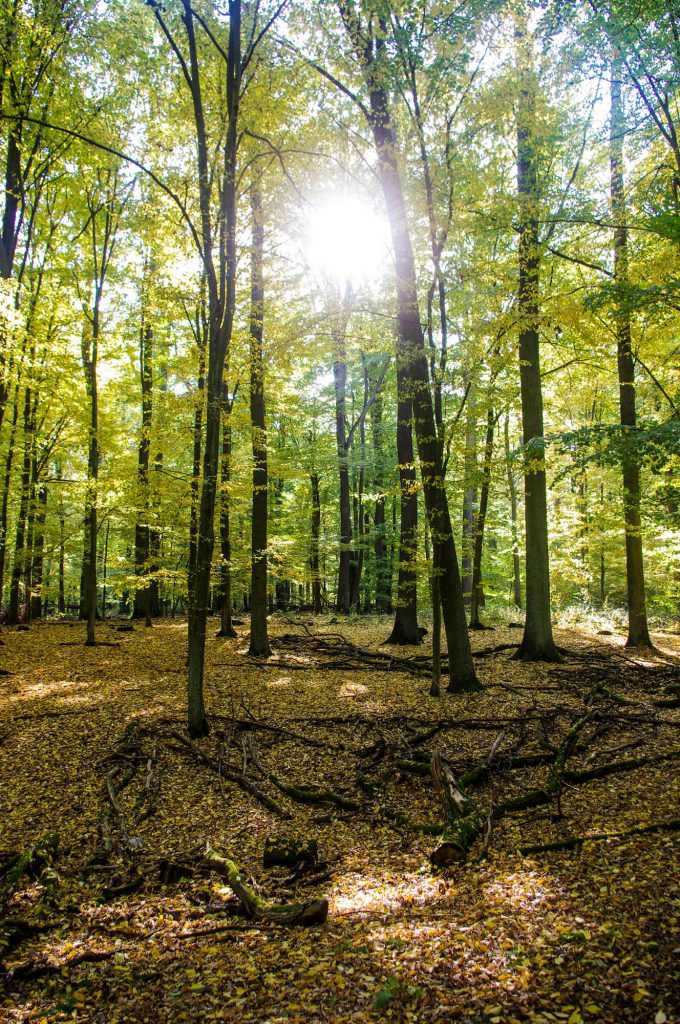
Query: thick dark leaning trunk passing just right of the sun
point(412, 358)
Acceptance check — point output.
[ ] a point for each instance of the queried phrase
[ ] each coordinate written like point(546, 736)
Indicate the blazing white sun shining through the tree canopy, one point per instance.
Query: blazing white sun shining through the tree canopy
point(348, 240)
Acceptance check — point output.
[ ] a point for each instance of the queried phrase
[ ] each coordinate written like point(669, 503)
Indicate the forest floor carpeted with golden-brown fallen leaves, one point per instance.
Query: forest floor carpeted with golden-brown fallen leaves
point(127, 918)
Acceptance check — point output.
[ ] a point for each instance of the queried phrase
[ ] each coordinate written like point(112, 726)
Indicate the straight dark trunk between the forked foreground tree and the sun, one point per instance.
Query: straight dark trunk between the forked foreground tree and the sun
point(260, 642)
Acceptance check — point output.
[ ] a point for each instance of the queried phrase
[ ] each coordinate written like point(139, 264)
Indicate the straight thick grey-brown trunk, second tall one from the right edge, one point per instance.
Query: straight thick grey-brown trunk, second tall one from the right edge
point(538, 644)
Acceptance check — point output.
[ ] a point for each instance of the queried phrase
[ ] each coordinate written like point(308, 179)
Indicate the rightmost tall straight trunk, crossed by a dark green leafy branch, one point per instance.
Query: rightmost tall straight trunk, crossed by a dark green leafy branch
point(639, 630)
